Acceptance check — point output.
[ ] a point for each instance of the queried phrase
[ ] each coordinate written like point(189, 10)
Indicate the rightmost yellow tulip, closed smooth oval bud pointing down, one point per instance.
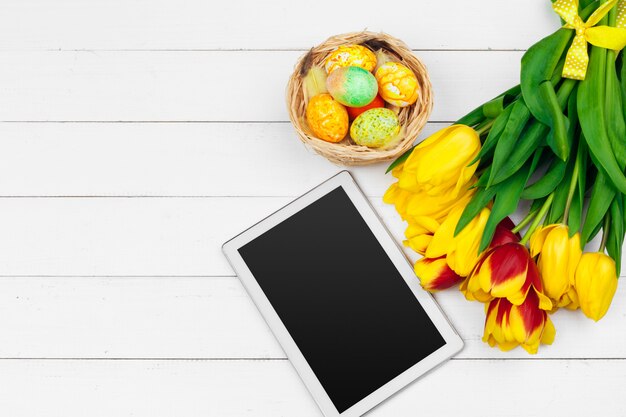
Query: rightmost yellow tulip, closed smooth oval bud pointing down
point(596, 282)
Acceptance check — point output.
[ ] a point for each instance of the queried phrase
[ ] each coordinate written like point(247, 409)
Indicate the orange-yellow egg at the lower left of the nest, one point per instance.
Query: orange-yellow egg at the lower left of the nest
point(327, 118)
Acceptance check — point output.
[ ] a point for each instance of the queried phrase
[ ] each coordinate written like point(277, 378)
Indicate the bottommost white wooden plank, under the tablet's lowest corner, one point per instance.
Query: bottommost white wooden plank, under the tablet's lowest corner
point(272, 388)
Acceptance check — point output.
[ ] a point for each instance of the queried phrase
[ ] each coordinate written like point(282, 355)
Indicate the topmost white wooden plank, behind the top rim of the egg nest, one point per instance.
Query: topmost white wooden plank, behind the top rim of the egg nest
point(249, 24)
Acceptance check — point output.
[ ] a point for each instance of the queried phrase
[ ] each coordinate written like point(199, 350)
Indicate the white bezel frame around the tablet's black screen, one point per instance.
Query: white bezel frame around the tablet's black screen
point(453, 342)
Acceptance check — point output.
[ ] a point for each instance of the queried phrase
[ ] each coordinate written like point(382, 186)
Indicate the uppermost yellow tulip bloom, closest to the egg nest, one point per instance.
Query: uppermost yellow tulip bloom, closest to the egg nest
point(441, 163)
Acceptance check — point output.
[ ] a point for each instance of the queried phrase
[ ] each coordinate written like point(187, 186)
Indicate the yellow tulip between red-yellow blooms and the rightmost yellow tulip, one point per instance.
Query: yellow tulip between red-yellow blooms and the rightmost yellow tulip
point(558, 257)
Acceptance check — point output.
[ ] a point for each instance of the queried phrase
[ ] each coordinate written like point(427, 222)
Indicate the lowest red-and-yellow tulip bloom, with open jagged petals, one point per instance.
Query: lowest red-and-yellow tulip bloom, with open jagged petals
point(508, 326)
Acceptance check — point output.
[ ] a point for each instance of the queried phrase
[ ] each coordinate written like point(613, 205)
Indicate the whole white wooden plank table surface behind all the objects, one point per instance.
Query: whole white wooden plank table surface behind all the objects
point(137, 136)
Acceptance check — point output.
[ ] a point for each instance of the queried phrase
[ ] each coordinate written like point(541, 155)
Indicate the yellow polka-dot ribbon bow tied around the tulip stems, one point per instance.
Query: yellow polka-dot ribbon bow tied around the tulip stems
point(608, 37)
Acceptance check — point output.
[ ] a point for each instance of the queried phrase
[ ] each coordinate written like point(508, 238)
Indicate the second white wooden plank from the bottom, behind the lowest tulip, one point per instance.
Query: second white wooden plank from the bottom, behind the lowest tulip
point(213, 318)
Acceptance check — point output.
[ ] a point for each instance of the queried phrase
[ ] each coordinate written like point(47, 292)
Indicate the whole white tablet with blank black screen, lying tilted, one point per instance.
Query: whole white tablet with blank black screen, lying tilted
point(341, 298)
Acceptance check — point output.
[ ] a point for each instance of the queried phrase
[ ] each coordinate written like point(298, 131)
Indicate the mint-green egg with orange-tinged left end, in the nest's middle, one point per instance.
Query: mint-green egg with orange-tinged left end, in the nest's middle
point(352, 86)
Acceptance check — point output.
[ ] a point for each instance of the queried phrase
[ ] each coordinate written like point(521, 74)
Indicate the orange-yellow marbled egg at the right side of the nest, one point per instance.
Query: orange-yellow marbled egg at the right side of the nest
point(397, 84)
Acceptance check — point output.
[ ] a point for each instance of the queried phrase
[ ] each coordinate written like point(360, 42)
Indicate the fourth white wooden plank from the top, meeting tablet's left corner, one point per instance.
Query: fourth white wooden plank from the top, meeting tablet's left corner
point(135, 236)
